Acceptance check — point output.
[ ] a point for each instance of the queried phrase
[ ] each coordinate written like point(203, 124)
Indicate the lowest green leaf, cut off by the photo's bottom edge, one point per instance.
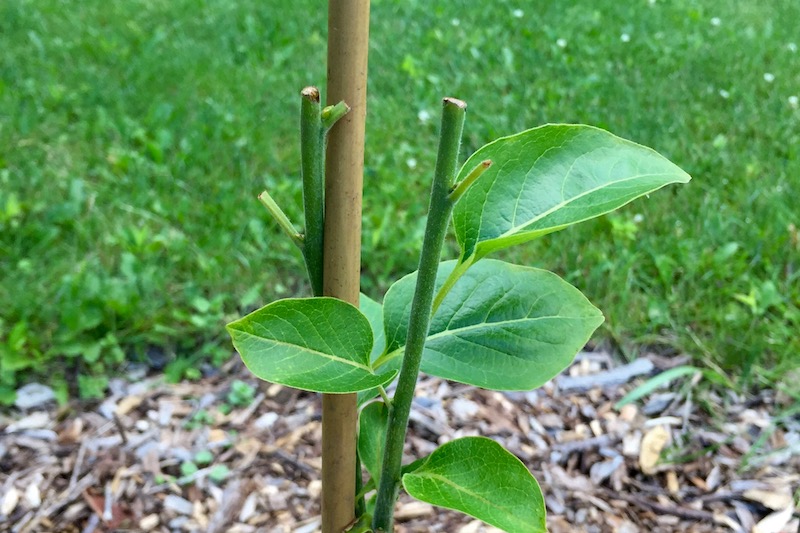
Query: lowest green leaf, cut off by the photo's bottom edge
point(477, 476)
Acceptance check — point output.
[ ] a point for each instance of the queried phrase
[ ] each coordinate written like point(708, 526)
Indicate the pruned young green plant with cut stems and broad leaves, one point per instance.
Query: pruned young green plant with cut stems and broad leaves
point(473, 320)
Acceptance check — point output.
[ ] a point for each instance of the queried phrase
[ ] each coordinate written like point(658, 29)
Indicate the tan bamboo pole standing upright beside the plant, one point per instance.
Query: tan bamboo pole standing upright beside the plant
point(348, 36)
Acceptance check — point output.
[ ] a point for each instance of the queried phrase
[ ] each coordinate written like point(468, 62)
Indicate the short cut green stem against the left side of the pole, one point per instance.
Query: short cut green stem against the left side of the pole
point(312, 157)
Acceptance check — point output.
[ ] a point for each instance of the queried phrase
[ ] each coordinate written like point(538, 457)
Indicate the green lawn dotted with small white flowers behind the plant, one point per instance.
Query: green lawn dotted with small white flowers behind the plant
point(135, 136)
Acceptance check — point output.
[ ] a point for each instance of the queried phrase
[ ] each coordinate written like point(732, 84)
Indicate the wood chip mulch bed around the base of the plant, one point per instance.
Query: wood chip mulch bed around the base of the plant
point(684, 459)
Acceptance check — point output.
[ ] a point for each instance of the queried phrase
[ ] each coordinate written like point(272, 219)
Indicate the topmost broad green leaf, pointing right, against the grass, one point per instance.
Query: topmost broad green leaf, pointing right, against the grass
point(550, 177)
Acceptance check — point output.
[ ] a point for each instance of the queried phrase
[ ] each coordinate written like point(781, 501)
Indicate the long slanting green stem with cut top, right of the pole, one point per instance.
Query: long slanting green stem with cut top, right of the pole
point(441, 206)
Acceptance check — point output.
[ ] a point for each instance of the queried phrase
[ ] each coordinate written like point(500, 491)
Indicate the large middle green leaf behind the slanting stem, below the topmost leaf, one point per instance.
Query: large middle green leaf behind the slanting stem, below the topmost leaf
point(501, 326)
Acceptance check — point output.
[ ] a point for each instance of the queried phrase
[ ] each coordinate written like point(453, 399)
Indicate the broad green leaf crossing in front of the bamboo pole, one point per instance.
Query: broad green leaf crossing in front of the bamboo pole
point(314, 344)
